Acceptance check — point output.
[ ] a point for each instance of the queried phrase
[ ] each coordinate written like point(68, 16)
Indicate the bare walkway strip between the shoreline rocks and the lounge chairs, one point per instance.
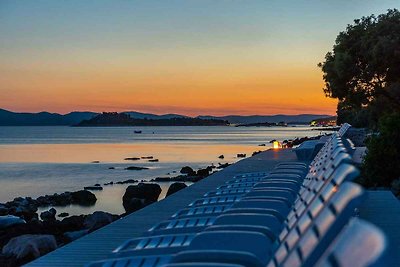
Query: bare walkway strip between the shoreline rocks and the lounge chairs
point(99, 244)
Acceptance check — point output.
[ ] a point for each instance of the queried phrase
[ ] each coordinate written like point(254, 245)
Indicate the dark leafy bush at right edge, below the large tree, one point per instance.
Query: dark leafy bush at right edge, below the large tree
point(382, 162)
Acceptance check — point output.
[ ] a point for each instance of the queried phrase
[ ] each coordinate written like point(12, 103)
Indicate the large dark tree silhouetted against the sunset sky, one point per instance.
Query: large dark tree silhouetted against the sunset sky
point(363, 70)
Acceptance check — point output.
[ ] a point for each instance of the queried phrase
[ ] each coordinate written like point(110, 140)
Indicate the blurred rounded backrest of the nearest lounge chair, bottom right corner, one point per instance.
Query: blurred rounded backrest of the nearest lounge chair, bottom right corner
point(359, 244)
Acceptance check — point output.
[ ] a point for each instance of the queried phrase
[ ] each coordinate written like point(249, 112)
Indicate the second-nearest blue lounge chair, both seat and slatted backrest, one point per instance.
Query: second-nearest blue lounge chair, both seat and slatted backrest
point(303, 246)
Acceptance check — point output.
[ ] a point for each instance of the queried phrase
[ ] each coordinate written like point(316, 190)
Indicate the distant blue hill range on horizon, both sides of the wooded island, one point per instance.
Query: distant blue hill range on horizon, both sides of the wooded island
point(9, 118)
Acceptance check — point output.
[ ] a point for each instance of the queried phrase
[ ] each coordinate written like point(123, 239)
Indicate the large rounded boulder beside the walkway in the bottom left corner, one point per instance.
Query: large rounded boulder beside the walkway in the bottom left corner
point(30, 246)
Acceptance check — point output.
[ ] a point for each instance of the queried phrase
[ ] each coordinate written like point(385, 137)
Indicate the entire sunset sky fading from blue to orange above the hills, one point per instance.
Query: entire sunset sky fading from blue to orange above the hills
point(191, 57)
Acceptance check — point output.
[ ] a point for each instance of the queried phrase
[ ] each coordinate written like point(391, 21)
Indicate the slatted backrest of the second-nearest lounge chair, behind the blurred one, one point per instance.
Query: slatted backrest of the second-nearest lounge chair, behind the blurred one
point(313, 235)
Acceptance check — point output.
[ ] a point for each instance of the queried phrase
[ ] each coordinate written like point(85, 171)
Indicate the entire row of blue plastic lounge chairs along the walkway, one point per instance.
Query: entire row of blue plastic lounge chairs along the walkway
point(294, 215)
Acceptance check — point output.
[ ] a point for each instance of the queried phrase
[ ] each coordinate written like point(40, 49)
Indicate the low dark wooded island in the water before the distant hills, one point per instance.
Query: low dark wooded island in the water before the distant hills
point(123, 119)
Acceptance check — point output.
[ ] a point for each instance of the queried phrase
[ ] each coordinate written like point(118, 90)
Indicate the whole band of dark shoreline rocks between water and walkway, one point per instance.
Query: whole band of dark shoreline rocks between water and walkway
point(26, 234)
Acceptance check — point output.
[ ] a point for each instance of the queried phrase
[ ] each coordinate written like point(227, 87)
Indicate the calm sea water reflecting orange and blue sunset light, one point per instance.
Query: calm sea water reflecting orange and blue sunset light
point(36, 161)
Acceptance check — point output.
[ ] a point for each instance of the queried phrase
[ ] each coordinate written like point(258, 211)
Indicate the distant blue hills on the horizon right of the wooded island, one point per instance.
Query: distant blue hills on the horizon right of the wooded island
point(290, 119)
